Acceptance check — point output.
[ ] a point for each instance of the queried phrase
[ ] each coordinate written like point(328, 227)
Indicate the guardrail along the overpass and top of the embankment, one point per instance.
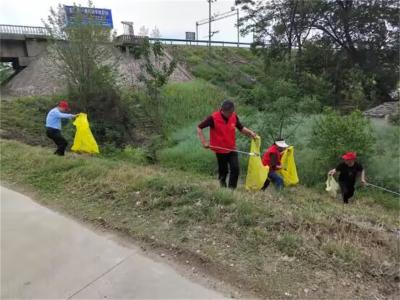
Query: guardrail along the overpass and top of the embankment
point(42, 31)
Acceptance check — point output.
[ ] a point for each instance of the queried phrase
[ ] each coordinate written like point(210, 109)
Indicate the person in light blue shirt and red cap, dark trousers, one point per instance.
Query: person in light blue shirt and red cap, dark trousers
point(53, 126)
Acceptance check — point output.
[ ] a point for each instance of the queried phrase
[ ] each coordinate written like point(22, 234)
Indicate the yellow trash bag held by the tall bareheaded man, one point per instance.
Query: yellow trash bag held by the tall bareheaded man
point(257, 173)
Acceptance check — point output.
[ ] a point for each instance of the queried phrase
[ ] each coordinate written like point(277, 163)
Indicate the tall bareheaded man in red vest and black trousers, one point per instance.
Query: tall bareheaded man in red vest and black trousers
point(223, 124)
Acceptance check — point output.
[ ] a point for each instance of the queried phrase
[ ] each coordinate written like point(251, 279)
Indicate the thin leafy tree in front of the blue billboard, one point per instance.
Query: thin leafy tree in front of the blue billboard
point(83, 52)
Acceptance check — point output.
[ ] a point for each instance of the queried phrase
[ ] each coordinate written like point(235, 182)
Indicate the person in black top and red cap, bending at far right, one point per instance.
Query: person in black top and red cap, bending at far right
point(349, 170)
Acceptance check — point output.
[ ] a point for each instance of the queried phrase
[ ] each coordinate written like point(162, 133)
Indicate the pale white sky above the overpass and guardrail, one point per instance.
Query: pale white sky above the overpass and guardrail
point(172, 17)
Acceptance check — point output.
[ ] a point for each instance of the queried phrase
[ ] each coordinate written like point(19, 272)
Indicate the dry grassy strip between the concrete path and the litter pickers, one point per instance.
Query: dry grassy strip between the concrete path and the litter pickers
point(299, 242)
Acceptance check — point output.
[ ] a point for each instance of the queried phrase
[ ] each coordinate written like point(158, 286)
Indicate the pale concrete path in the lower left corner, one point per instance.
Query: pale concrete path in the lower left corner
point(46, 255)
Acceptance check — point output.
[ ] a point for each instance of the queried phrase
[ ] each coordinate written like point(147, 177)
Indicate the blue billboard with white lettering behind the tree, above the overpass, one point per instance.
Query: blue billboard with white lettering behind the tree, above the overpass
point(101, 15)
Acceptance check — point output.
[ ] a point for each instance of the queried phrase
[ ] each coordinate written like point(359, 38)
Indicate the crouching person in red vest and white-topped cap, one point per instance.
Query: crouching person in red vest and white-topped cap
point(272, 158)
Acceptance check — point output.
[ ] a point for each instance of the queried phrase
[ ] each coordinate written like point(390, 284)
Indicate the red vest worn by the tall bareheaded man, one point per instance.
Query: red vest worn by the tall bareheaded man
point(223, 134)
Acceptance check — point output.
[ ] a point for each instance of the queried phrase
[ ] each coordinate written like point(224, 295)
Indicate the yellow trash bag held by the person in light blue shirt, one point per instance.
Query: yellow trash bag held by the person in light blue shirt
point(84, 141)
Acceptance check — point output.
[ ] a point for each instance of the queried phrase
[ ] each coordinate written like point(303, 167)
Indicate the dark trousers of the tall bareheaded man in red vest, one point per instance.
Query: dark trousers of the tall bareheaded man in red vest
point(228, 163)
